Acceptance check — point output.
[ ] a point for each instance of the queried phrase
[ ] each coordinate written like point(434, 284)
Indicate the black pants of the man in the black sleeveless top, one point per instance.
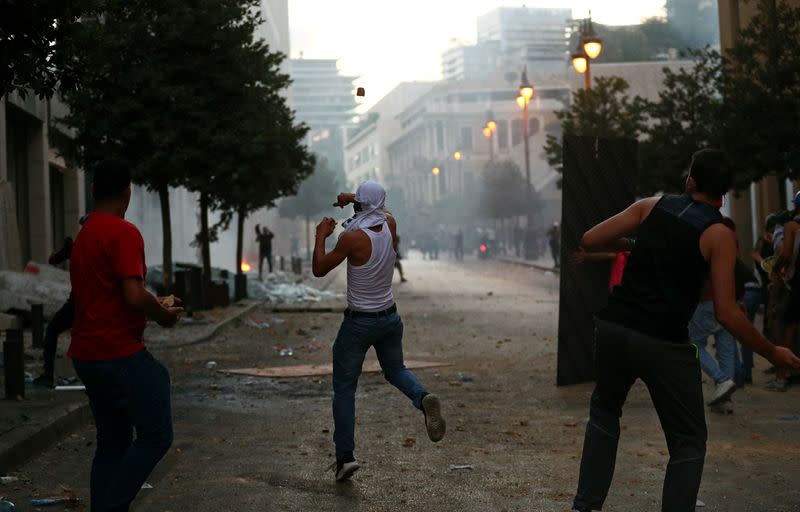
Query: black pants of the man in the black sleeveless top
point(671, 372)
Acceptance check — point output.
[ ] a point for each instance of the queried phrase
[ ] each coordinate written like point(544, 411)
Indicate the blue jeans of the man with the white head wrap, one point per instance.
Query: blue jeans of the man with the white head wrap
point(355, 337)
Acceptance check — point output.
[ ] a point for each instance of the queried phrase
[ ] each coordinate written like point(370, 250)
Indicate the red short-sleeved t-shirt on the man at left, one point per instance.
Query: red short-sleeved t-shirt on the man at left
point(106, 251)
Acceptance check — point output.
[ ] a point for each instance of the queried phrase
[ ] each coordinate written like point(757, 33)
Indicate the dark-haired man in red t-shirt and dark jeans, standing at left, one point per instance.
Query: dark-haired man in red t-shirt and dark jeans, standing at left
point(127, 388)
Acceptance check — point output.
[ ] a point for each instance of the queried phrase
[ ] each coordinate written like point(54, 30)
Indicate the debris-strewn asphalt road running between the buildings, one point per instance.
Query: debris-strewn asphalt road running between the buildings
point(254, 444)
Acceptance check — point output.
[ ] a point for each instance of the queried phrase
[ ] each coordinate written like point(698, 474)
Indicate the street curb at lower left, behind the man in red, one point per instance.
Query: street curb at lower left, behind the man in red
point(27, 443)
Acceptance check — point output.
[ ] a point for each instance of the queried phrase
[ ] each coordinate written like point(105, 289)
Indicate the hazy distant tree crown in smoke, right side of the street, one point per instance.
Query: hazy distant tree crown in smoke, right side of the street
point(503, 193)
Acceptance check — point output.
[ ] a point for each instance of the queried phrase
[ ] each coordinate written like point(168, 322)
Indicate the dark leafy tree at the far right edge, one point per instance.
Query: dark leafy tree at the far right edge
point(762, 94)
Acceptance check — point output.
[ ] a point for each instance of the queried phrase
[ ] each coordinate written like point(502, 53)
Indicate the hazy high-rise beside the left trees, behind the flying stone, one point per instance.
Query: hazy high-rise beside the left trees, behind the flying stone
point(324, 99)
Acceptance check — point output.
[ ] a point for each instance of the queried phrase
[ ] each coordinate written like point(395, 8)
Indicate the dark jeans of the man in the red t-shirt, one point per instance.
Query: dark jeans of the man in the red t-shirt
point(126, 394)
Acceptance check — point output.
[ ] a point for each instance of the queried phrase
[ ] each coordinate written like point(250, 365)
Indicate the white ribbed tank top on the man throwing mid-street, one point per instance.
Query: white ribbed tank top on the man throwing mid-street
point(369, 286)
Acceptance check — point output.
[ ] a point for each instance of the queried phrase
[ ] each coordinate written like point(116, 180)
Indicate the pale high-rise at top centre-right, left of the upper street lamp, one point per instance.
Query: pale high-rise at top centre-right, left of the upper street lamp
point(532, 36)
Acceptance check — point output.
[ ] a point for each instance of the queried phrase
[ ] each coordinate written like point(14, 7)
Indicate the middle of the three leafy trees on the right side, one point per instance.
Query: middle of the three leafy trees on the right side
point(685, 118)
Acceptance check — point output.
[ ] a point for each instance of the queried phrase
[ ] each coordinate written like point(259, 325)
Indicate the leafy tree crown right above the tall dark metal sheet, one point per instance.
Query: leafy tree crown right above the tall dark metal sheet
point(603, 111)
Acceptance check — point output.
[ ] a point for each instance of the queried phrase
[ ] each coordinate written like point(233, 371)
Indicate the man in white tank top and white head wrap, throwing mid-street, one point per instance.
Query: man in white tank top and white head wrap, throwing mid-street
point(371, 318)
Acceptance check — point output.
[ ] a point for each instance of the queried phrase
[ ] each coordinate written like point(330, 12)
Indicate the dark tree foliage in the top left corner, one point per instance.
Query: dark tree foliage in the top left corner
point(37, 46)
